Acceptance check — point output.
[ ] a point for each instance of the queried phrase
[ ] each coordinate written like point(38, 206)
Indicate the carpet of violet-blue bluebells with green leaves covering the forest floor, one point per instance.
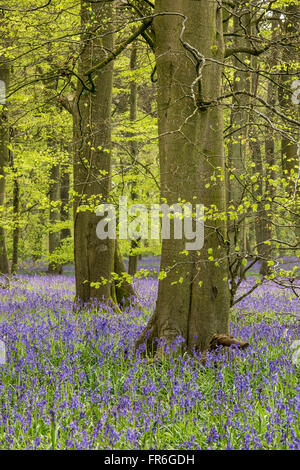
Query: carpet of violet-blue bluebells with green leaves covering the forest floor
point(72, 381)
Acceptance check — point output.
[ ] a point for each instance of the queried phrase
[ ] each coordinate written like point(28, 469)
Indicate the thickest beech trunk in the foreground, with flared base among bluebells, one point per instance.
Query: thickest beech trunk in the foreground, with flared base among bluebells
point(193, 298)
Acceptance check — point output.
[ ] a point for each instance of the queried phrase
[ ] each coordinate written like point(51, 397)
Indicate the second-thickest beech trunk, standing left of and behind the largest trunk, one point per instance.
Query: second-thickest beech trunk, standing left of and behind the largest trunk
point(94, 258)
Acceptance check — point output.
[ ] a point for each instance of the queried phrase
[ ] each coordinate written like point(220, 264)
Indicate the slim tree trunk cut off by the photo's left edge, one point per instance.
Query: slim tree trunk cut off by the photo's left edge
point(4, 76)
